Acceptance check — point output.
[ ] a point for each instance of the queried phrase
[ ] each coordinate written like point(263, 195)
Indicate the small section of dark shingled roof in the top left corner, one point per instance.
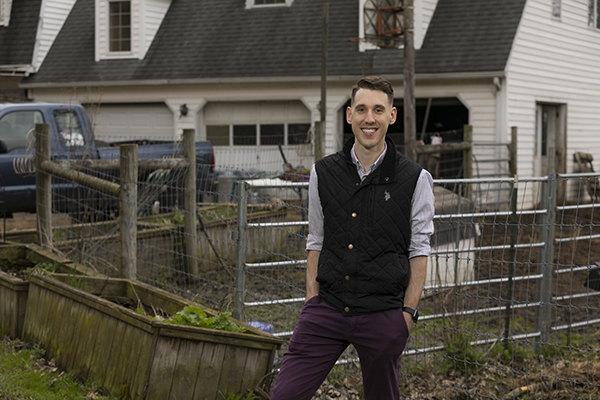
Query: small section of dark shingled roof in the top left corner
point(17, 40)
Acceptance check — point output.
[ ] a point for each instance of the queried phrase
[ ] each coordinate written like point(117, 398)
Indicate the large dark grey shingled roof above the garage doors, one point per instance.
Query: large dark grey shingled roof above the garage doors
point(221, 40)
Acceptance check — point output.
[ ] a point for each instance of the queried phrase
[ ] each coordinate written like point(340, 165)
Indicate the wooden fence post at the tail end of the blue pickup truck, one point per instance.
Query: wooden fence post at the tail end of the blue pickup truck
point(189, 202)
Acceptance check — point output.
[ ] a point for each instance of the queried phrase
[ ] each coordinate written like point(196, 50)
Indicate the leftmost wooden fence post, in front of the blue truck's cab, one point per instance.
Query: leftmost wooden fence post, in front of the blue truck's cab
point(43, 183)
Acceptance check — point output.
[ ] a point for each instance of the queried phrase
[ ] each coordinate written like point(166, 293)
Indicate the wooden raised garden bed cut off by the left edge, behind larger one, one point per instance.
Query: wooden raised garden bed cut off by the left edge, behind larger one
point(14, 288)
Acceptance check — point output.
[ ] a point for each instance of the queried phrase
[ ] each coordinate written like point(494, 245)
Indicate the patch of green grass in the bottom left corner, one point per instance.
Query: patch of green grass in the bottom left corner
point(24, 374)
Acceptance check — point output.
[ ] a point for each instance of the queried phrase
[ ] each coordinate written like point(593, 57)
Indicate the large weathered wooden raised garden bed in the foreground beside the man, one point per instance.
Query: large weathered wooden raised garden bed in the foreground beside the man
point(133, 355)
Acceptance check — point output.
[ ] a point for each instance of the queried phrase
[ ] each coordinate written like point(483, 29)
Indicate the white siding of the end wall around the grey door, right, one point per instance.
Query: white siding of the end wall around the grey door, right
point(555, 61)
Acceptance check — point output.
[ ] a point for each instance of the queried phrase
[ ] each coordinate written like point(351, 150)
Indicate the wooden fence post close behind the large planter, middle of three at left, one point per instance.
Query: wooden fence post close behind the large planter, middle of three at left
point(129, 172)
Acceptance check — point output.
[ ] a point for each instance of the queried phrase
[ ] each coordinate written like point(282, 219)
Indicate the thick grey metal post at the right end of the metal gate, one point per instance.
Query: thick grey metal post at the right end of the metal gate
point(546, 259)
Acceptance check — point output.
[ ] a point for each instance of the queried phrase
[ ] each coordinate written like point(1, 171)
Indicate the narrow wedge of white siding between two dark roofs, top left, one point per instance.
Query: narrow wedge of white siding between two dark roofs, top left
point(53, 15)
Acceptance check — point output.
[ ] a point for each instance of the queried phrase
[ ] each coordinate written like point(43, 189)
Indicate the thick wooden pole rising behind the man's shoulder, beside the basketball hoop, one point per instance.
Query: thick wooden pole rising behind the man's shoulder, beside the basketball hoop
point(410, 123)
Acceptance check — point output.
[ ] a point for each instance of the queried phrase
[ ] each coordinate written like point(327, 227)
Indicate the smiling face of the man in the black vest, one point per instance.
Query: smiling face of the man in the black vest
point(370, 116)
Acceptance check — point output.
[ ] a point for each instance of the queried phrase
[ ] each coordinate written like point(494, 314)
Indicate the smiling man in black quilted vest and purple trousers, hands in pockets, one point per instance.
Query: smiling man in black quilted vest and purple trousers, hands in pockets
point(370, 218)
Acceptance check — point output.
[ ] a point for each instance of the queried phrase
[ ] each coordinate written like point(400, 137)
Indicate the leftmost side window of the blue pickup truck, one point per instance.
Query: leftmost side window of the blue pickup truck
point(17, 128)
